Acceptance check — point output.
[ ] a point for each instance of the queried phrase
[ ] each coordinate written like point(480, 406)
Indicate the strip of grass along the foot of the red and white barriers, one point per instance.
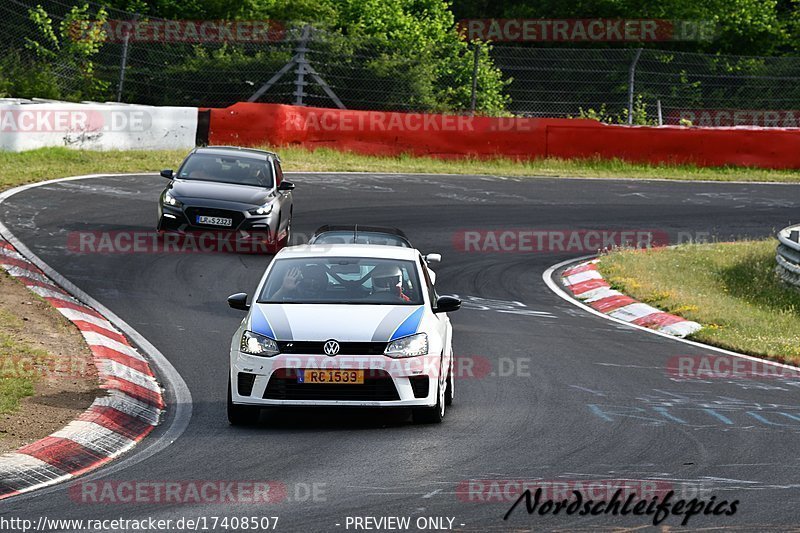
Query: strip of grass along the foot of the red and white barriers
point(37, 165)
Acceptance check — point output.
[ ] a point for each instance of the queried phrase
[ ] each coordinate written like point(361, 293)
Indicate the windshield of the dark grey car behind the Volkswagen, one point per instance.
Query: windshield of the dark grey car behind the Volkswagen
point(227, 169)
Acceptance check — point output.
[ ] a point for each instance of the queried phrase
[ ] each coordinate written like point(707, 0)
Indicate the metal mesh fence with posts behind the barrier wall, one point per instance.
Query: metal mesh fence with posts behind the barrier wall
point(310, 66)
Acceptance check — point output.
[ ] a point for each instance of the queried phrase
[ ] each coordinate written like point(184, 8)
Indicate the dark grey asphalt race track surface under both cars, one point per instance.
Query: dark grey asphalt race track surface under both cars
point(598, 403)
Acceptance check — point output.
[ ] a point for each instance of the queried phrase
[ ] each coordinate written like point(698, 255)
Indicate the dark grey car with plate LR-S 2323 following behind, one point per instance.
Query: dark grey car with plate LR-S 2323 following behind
point(229, 190)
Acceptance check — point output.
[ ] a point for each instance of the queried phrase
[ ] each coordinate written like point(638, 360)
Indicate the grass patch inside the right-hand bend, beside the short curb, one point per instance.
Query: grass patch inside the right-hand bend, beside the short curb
point(729, 288)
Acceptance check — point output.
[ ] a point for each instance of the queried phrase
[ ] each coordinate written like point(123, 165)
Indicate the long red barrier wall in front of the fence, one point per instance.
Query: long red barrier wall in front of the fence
point(450, 136)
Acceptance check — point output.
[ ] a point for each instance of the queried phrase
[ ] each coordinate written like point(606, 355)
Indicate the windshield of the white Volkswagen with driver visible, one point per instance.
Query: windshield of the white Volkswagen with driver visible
point(343, 280)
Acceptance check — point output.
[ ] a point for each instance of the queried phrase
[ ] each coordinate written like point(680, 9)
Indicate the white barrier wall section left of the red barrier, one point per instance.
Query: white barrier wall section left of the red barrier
point(95, 126)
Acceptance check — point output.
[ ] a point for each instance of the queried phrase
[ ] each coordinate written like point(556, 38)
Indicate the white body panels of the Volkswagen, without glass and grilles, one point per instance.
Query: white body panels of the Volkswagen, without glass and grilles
point(345, 323)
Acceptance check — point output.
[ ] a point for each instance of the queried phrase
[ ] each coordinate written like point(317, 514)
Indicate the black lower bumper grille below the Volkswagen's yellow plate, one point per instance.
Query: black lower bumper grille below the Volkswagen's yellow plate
point(378, 386)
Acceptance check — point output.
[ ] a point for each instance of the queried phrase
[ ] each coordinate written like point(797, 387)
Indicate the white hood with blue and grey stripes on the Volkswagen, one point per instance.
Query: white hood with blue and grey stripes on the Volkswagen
point(348, 323)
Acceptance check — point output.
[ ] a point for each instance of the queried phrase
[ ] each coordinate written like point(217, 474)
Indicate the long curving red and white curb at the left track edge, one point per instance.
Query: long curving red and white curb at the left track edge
point(113, 424)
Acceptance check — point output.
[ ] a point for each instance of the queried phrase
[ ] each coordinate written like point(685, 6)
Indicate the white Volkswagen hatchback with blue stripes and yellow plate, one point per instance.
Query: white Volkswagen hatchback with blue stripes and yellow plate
point(343, 325)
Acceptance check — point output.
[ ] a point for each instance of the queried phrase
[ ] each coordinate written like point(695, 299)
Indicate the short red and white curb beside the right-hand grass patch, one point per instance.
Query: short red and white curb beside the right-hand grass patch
point(586, 283)
